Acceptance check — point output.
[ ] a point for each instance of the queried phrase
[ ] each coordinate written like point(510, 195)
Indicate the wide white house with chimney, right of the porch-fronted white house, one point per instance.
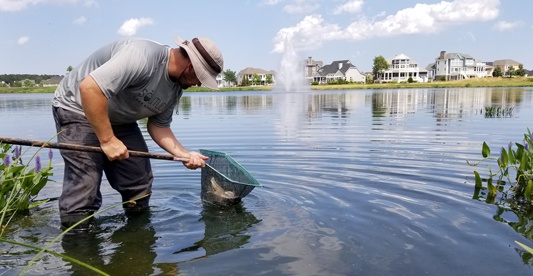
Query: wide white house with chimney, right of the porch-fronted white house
point(457, 66)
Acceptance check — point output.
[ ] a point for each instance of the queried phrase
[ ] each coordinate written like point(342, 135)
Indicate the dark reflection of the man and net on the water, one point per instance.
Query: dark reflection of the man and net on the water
point(132, 244)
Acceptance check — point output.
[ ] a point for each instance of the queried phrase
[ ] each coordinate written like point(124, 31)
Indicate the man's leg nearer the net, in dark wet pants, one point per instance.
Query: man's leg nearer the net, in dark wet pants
point(131, 177)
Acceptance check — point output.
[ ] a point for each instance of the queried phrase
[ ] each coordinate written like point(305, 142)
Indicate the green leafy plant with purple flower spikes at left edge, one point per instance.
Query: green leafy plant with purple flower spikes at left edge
point(20, 184)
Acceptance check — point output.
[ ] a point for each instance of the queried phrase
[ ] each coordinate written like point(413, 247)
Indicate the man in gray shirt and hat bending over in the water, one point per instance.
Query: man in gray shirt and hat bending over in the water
point(98, 104)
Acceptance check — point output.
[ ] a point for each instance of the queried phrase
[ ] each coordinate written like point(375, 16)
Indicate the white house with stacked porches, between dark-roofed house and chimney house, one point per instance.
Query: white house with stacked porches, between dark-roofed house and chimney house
point(401, 69)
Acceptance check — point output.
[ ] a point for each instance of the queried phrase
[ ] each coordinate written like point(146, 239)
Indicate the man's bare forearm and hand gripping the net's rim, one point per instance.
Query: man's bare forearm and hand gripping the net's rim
point(165, 138)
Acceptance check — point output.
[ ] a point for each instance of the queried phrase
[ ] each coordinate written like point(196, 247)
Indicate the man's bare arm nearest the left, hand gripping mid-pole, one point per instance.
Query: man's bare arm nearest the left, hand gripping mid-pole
point(94, 105)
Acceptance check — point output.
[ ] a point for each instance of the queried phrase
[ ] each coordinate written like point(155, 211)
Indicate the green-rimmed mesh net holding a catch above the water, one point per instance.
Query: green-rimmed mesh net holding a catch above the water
point(224, 181)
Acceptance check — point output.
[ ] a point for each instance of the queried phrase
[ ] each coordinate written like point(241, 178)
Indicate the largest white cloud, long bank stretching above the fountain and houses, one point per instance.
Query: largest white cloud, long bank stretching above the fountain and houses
point(422, 18)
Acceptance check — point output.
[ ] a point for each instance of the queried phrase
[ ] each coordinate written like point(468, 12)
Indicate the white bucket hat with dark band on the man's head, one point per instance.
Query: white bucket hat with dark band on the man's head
point(206, 59)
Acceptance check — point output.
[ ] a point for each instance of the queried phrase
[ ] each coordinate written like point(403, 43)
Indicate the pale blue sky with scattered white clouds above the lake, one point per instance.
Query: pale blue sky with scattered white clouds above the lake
point(48, 36)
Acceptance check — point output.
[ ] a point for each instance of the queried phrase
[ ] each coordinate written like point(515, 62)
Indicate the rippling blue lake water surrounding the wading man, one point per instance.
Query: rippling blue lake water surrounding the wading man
point(362, 182)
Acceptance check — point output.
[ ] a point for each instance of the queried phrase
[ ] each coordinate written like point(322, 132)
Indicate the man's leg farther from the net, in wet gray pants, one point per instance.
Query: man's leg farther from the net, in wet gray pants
point(81, 195)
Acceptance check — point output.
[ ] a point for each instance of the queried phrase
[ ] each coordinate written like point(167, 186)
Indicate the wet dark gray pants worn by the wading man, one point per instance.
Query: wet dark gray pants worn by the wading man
point(81, 195)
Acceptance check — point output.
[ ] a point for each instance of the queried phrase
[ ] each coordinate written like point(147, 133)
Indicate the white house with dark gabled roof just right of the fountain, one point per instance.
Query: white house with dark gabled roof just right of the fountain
point(339, 70)
